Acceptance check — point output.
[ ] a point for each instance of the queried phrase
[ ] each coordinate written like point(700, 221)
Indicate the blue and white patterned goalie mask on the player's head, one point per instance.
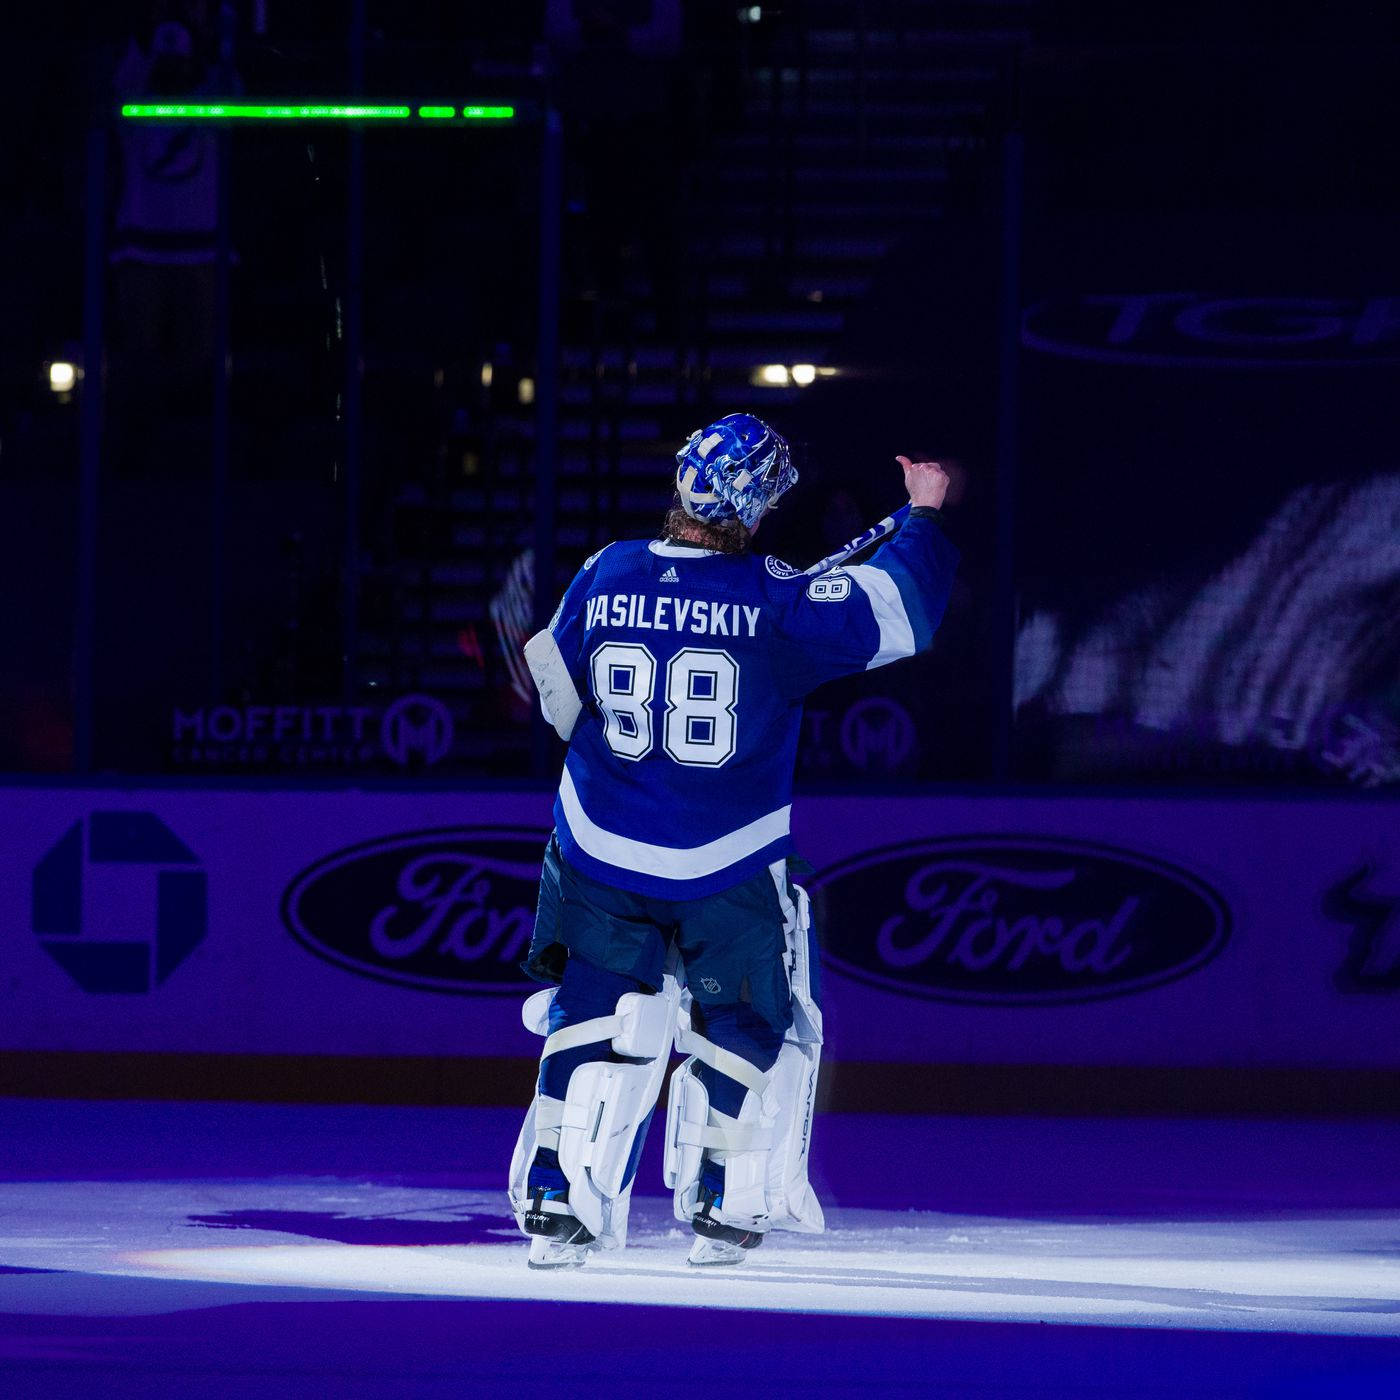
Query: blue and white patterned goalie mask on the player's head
point(734, 470)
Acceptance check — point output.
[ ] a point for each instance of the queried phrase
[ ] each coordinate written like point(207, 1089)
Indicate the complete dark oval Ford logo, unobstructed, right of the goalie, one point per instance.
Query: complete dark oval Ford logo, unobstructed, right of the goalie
point(1016, 920)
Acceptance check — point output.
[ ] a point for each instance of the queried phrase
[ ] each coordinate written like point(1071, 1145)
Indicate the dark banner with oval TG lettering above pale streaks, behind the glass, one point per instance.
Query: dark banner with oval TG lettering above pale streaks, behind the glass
point(1209, 500)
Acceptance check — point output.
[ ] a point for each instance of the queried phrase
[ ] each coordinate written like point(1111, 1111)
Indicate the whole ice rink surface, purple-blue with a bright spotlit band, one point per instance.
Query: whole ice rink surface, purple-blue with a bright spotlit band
point(272, 1251)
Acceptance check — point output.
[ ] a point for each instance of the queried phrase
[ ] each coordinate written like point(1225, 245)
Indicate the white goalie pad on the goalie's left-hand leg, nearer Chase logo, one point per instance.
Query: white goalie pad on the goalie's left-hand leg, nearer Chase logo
point(596, 1125)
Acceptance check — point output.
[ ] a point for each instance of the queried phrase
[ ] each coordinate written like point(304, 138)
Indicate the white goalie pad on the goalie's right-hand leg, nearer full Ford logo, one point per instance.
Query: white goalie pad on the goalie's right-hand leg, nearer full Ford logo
point(765, 1150)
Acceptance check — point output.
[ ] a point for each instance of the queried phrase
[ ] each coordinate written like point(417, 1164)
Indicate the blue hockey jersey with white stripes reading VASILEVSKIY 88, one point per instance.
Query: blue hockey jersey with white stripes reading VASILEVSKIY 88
point(692, 667)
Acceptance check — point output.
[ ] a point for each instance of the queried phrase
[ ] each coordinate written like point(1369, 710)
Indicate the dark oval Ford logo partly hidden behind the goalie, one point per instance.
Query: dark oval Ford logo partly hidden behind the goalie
point(447, 911)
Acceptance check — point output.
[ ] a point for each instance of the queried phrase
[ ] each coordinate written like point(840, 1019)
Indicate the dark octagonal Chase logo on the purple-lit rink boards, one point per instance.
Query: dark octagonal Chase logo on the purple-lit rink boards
point(120, 902)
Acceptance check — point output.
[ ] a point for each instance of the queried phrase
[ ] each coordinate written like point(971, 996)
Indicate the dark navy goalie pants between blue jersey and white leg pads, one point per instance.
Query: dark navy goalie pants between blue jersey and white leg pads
point(598, 943)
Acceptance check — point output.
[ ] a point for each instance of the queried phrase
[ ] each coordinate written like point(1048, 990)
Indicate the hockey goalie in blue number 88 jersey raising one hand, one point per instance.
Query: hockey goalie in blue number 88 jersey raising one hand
point(668, 916)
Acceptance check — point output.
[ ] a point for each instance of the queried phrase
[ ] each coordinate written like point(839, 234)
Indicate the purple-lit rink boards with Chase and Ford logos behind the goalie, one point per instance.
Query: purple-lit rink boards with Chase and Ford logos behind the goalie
point(999, 930)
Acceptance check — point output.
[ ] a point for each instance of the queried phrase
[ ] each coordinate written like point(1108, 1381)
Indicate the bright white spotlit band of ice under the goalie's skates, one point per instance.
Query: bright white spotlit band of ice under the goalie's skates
point(1333, 1273)
